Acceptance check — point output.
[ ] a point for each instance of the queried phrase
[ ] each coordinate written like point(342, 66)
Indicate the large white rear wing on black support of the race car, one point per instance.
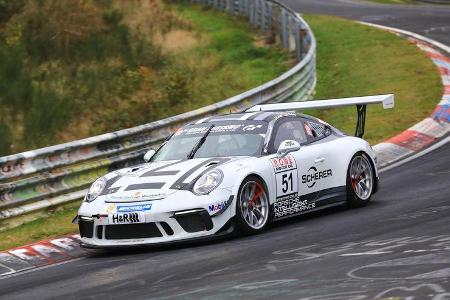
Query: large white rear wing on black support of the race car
point(359, 102)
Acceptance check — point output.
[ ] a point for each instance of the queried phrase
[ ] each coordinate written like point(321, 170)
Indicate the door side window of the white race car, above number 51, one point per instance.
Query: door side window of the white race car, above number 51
point(291, 129)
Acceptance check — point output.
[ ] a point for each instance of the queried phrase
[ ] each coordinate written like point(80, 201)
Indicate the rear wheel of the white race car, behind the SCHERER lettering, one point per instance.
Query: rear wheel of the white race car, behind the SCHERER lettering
point(360, 181)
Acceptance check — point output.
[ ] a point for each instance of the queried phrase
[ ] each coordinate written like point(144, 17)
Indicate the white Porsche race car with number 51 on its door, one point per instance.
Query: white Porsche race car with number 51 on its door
point(233, 172)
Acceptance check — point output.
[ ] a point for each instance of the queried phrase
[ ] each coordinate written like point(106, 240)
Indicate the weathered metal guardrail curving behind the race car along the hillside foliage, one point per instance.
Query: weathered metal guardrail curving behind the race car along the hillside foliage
point(58, 174)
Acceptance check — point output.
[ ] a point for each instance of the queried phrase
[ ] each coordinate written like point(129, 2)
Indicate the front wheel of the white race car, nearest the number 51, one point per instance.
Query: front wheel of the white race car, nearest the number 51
point(252, 209)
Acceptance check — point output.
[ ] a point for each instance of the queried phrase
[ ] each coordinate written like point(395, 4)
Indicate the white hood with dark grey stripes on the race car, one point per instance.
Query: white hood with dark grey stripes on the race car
point(157, 180)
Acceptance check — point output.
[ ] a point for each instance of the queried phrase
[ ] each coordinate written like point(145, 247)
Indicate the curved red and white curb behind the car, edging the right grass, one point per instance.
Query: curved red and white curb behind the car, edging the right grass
point(437, 125)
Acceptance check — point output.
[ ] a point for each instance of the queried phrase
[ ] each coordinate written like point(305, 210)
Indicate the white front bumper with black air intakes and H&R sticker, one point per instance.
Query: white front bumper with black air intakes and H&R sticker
point(162, 224)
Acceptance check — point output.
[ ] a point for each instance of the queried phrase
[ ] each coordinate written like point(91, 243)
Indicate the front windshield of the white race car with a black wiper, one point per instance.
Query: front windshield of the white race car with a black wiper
point(233, 138)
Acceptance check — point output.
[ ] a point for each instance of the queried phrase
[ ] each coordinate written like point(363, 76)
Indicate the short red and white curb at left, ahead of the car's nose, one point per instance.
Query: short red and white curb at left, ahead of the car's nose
point(40, 254)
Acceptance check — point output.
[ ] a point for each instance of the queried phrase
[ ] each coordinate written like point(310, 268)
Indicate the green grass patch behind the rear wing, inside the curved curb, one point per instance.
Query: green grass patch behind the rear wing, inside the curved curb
point(357, 60)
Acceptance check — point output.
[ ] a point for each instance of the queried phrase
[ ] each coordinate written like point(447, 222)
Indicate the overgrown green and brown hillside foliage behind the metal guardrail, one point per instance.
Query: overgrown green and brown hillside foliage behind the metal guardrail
point(72, 69)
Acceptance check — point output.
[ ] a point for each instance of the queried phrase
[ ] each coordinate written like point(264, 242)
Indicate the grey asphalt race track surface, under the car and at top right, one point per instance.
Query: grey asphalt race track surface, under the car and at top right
point(398, 246)
